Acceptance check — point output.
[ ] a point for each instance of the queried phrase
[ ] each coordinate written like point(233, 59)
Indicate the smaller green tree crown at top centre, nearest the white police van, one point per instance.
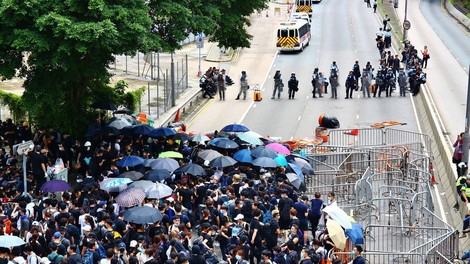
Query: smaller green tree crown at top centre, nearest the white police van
point(224, 20)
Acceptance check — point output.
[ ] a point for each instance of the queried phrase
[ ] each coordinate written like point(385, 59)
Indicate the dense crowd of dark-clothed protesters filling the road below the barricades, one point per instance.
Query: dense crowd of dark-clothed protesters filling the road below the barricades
point(241, 214)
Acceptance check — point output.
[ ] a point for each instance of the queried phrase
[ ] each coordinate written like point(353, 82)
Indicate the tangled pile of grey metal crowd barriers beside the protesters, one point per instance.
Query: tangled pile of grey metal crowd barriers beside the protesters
point(382, 177)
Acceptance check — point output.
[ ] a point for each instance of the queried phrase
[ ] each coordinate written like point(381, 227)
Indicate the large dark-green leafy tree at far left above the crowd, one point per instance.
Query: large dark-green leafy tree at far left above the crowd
point(63, 48)
